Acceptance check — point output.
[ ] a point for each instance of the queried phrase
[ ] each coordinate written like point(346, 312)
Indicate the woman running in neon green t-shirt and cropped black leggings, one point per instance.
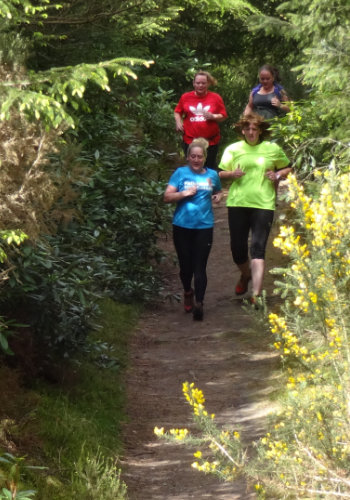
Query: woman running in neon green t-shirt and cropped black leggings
point(255, 166)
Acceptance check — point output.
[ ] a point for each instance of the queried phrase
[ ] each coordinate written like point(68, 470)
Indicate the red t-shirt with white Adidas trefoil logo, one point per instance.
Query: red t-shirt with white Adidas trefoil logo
point(191, 107)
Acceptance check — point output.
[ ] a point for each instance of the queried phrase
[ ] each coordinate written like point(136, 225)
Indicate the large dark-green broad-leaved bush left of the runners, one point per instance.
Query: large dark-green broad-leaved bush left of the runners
point(109, 244)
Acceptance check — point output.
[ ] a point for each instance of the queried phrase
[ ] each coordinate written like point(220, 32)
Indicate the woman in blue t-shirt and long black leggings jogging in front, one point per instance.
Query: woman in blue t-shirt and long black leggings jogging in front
point(193, 188)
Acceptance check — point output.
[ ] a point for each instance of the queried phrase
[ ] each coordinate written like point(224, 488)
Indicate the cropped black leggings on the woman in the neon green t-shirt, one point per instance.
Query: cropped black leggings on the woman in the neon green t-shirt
point(241, 220)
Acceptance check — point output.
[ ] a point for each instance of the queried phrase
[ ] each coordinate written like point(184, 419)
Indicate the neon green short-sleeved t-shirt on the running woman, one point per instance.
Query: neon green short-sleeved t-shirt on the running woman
point(253, 189)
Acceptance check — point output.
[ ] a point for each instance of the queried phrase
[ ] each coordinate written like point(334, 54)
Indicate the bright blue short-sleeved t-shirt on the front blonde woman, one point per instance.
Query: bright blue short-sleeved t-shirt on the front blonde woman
point(195, 212)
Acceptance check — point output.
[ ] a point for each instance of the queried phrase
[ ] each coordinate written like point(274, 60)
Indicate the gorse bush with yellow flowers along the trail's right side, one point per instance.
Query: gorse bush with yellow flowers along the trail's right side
point(305, 453)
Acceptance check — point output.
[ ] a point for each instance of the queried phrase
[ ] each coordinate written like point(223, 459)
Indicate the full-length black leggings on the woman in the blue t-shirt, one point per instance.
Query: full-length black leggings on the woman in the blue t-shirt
point(193, 248)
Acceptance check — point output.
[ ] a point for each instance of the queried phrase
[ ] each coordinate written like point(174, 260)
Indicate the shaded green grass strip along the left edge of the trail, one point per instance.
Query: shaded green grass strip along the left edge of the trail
point(76, 426)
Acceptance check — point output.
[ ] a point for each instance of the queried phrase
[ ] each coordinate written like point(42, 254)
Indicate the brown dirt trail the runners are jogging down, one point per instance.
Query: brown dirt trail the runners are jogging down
point(231, 366)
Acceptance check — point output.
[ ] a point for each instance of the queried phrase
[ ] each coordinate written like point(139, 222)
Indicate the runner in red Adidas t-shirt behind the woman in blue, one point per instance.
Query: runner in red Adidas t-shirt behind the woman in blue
point(198, 114)
